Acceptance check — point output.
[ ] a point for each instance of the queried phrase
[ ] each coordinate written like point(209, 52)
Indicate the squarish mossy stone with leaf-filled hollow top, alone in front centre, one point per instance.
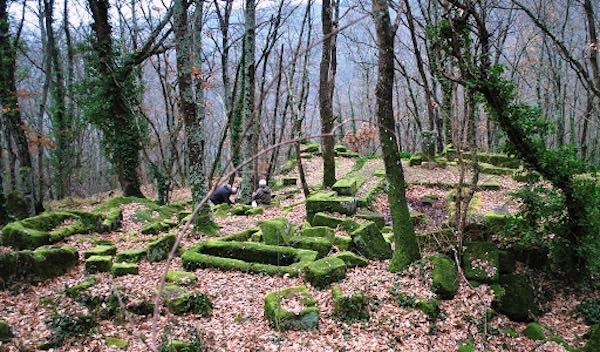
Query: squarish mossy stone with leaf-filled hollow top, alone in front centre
point(283, 319)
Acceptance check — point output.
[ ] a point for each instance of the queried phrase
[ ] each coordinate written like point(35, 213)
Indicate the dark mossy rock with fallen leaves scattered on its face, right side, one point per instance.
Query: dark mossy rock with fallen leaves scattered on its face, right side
point(481, 261)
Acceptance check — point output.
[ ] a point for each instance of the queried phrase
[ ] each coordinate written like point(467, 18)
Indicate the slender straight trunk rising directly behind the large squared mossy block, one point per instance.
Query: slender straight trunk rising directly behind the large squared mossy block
point(326, 86)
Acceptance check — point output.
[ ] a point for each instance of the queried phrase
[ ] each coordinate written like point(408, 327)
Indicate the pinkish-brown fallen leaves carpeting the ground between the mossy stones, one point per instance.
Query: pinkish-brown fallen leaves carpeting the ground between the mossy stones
point(237, 322)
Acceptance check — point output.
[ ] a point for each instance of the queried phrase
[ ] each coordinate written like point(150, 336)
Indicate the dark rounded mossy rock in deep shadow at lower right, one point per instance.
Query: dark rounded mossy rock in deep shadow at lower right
point(518, 301)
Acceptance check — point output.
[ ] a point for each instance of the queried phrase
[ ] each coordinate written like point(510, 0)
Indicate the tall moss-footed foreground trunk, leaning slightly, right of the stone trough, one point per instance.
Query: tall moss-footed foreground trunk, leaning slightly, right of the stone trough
point(407, 249)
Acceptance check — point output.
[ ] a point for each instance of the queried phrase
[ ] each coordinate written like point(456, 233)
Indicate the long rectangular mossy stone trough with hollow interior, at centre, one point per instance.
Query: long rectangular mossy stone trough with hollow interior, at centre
point(247, 256)
